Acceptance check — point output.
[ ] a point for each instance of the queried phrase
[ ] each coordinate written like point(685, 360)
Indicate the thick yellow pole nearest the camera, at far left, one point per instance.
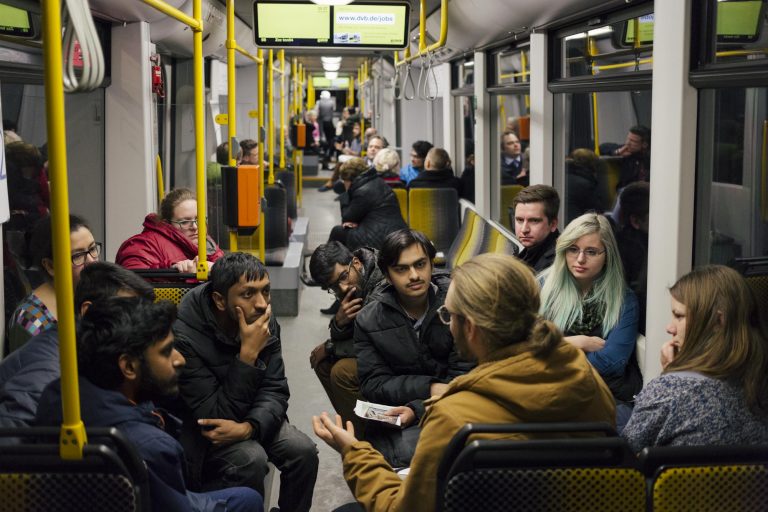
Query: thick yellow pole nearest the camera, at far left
point(72, 436)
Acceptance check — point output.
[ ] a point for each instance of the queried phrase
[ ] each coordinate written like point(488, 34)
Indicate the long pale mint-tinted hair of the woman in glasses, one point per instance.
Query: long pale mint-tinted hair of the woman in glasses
point(561, 299)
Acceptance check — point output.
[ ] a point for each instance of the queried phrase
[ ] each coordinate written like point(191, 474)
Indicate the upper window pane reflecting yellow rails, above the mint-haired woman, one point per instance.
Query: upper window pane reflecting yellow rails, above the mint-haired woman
point(616, 48)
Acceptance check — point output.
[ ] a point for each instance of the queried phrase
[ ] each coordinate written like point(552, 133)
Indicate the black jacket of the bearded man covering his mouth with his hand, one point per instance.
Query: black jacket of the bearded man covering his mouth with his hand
point(215, 383)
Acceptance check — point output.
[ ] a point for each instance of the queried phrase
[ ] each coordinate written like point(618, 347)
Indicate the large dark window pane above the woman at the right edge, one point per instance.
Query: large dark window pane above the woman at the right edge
point(731, 170)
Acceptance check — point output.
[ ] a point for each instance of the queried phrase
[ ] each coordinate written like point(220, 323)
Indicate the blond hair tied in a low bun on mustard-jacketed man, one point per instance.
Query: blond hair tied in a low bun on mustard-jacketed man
point(499, 293)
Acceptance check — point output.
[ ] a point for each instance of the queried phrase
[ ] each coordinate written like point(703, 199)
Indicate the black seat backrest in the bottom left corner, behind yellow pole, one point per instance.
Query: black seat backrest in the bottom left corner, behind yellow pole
point(110, 476)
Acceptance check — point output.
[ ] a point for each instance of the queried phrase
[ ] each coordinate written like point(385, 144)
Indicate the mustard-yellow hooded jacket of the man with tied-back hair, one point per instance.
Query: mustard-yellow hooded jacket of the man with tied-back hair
point(514, 387)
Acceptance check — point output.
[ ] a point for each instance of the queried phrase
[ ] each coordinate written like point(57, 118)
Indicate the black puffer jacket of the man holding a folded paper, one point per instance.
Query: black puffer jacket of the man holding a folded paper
point(394, 365)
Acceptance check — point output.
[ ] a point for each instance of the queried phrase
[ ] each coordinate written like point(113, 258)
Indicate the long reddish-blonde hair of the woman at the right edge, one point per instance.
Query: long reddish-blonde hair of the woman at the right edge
point(723, 335)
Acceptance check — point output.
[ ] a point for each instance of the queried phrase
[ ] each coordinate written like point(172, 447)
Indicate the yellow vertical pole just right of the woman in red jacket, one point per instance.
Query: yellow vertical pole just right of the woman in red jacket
point(197, 59)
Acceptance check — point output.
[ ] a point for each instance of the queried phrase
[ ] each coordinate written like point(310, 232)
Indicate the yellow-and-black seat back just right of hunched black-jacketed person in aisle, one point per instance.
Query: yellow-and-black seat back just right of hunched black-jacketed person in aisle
point(435, 212)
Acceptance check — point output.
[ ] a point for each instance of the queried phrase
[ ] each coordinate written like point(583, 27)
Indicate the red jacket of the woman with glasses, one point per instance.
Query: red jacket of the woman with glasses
point(161, 245)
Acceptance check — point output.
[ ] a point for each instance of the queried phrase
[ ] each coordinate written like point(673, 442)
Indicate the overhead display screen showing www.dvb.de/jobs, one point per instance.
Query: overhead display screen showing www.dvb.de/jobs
point(382, 25)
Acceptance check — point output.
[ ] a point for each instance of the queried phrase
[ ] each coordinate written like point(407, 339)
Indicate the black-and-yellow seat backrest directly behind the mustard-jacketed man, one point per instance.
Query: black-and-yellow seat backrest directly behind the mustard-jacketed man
point(585, 473)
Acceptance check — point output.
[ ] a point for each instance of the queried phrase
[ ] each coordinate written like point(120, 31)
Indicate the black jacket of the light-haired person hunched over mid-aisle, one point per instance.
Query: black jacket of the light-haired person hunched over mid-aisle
point(371, 204)
